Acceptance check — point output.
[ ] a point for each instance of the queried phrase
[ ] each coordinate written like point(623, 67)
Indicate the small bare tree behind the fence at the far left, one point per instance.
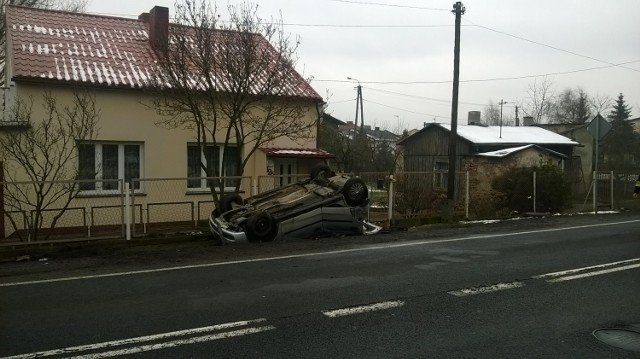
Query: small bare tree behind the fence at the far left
point(44, 151)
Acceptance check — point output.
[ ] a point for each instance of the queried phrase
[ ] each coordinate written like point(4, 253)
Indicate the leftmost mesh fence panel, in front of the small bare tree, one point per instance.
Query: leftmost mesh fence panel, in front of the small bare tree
point(48, 210)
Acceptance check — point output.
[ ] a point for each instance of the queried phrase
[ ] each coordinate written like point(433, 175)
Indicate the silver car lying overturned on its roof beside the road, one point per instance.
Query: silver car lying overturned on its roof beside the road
point(324, 203)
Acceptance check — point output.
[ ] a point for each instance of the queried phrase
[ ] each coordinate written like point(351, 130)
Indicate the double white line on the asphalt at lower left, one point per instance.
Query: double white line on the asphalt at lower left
point(90, 351)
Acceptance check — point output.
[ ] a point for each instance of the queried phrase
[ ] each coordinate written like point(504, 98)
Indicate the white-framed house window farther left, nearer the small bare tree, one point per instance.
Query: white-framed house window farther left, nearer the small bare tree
point(108, 164)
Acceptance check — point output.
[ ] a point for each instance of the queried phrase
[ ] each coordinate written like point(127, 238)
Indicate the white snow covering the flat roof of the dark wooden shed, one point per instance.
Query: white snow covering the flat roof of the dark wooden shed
point(510, 135)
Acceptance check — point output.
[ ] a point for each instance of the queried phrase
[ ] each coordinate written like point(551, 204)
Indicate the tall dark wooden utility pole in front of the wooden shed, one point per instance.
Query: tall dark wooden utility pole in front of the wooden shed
point(458, 10)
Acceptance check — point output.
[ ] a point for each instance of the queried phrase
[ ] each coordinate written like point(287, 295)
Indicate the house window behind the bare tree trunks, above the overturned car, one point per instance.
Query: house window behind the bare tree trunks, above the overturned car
point(212, 158)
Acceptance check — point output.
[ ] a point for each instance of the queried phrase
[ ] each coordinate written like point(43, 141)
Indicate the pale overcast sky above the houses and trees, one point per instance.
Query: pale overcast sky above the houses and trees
point(401, 52)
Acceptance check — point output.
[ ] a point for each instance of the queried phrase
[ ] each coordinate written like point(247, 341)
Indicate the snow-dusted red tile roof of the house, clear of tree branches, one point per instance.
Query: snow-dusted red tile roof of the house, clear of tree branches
point(91, 50)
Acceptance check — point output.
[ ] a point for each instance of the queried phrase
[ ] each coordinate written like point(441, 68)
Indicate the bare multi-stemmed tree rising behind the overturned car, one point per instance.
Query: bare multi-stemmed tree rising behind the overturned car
point(231, 84)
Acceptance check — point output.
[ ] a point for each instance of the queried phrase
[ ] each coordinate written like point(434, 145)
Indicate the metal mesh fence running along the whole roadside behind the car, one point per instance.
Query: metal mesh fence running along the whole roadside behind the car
point(163, 205)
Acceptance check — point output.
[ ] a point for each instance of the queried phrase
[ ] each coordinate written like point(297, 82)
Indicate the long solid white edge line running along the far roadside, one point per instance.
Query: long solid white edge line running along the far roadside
point(314, 254)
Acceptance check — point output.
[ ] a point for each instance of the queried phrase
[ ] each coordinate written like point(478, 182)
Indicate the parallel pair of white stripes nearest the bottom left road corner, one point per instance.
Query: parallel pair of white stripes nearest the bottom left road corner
point(156, 337)
